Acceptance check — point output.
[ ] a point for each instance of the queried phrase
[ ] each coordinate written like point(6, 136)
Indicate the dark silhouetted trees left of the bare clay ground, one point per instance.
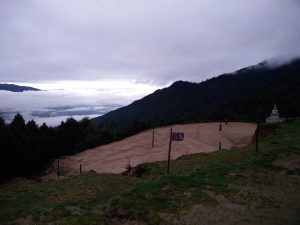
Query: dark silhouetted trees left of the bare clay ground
point(26, 149)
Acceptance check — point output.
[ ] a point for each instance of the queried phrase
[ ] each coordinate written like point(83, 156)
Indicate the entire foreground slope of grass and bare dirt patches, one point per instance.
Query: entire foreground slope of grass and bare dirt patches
point(229, 187)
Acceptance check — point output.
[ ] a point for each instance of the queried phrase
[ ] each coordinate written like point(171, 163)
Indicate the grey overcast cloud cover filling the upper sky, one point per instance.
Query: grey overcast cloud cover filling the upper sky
point(150, 41)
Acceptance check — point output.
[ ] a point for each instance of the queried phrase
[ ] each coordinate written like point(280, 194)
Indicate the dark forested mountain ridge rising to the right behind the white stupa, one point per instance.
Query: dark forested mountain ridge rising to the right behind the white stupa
point(247, 94)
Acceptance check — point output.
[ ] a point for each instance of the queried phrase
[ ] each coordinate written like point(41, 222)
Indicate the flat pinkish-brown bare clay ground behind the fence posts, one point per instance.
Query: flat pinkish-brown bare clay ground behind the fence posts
point(137, 149)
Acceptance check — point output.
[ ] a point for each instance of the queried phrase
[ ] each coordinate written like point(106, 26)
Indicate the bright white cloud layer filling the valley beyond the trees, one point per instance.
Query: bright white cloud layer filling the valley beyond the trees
point(70, 99)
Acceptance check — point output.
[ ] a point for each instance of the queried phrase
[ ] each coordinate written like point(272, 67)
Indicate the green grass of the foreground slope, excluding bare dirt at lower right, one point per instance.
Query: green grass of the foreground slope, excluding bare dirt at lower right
point(97, 198)
